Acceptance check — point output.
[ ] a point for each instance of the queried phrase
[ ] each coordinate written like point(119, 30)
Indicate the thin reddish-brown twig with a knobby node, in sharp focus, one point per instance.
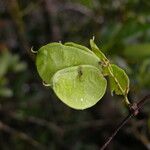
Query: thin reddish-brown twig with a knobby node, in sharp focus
point(134, 110)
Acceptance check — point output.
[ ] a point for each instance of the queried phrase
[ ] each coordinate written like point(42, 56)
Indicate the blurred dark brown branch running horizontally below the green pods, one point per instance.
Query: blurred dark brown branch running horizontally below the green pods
point(52, 126)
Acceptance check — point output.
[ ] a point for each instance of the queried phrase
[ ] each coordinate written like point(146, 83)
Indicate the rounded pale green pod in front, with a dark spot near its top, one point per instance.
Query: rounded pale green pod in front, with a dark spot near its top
point(79, 87)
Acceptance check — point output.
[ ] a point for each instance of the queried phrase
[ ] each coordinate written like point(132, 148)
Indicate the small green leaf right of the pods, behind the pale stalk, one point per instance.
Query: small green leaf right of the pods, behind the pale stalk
point(122, 80)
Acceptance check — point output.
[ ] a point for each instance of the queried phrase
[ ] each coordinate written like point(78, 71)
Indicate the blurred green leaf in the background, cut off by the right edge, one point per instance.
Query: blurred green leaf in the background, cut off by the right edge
point(137, 51)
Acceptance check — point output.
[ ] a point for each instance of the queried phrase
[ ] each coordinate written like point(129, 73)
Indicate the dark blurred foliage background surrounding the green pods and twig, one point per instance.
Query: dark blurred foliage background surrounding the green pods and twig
point(31, 116)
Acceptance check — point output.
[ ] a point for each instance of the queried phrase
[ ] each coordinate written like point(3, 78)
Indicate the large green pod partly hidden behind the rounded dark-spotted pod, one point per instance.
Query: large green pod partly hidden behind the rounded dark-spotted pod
point(56, 56)
